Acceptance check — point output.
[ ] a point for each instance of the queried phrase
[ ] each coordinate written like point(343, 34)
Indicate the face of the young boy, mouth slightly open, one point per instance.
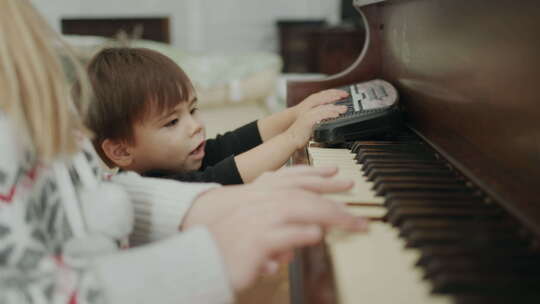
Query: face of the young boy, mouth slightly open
point(172, 141)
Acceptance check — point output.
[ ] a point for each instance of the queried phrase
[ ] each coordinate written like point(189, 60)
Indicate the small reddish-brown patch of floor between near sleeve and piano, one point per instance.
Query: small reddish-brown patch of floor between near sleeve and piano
point(268, 290)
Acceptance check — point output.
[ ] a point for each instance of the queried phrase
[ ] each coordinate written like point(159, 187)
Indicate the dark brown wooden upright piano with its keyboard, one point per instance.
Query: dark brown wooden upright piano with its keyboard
point(454, 197)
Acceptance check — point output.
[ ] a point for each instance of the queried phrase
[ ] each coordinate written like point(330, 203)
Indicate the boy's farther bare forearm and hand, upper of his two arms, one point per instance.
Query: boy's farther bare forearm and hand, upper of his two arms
point(277, 123)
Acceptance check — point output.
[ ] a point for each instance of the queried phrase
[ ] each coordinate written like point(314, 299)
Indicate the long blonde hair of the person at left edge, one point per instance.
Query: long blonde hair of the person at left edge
point(34, 90)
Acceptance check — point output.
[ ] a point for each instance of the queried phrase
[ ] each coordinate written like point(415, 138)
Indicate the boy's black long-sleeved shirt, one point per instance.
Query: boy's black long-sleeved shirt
point(218, 165)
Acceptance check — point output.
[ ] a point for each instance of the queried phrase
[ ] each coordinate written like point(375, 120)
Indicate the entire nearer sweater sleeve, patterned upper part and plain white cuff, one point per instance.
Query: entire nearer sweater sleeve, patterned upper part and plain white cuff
point(185, 268)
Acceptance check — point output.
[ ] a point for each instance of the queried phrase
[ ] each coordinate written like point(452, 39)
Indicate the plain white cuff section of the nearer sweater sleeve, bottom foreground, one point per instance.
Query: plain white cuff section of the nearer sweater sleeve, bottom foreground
point(185, 268)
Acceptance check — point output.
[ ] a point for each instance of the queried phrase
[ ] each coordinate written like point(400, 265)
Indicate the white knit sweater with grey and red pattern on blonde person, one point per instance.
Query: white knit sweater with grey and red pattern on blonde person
point(59, 235)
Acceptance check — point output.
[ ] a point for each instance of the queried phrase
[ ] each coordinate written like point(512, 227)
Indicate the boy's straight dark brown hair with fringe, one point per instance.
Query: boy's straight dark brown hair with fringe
point(128, 84)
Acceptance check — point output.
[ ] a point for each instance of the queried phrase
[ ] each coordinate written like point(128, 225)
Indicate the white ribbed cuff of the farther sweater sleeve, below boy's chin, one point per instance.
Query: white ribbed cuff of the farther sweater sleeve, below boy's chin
point(159, 204)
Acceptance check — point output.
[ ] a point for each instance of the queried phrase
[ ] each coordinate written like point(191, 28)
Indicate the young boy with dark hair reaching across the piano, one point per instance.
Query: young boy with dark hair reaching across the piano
point(145, 119)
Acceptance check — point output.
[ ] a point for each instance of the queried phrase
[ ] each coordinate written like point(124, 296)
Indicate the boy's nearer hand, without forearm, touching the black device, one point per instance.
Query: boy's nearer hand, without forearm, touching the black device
point(300, 131)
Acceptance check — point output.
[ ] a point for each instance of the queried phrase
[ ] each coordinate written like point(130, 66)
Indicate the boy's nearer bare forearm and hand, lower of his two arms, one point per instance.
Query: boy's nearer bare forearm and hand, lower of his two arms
point(274, 153)
